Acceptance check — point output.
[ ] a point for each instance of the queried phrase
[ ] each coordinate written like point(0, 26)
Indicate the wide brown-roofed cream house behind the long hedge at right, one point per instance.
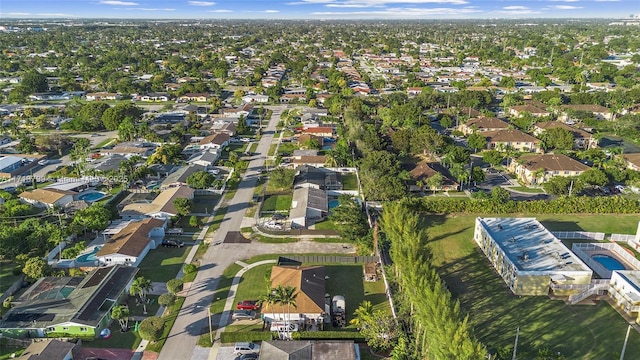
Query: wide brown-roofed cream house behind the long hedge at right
point(537, 169)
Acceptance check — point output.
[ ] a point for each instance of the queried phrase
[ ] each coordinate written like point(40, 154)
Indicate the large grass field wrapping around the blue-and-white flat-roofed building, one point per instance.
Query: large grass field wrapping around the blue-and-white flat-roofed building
point(578, 332)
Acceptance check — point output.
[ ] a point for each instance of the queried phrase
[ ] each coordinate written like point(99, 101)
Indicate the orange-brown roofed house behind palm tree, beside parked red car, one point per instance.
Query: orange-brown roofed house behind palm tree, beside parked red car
point(310, 288)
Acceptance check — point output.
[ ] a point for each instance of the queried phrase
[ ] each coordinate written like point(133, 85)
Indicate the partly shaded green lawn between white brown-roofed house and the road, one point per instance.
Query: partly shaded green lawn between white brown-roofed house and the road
point(163, 264)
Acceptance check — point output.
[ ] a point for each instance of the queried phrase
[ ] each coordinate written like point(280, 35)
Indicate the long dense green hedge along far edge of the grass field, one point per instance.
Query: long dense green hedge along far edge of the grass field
point(562, 205)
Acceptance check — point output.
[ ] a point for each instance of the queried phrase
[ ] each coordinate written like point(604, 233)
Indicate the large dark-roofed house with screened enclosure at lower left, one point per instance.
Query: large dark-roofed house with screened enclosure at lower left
point(68, 306)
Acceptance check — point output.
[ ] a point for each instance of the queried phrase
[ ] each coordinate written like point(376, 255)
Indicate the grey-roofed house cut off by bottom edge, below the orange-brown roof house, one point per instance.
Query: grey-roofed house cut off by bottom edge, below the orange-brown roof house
point(308, 350)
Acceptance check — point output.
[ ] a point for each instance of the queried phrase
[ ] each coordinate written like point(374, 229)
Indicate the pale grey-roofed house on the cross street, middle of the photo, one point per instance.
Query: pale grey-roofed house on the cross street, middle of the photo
point(308, 206)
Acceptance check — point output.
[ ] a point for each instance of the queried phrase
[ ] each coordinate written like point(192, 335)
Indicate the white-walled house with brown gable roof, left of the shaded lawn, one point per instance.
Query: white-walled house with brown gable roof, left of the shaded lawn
point(131, 244)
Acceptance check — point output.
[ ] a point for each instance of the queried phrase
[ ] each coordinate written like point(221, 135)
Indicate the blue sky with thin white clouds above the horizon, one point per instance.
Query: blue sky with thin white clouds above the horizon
point(319, 9)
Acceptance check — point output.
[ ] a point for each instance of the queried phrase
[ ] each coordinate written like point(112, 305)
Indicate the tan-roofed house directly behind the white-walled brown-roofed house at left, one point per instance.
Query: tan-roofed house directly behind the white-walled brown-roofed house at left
point(161, 207)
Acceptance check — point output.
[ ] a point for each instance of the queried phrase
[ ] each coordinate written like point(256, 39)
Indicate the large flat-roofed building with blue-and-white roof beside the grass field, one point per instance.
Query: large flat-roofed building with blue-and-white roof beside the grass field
point(528, 256)
